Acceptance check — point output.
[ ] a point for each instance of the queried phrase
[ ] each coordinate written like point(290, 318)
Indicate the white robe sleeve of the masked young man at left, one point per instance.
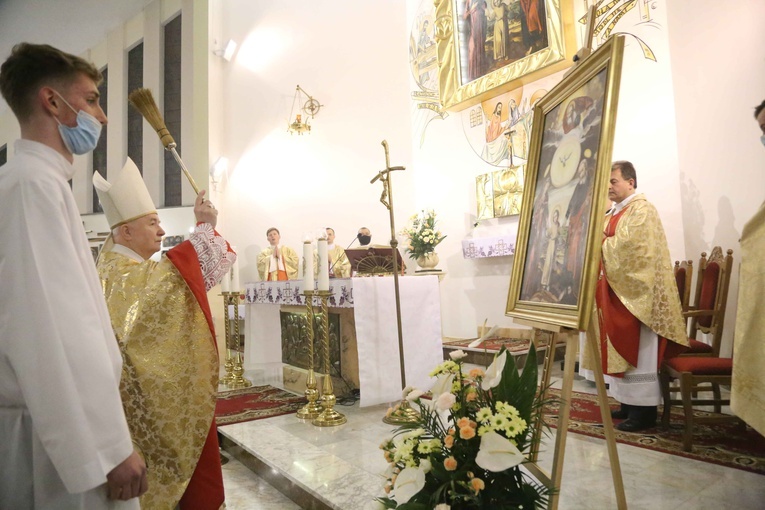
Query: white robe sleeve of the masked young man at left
point(55, 334)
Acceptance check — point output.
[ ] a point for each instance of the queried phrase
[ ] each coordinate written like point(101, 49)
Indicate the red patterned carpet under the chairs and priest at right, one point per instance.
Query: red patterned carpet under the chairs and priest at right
point(724, 444)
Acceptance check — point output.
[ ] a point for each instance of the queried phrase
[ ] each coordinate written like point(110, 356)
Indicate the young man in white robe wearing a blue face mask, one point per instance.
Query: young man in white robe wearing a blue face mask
point(64, 441)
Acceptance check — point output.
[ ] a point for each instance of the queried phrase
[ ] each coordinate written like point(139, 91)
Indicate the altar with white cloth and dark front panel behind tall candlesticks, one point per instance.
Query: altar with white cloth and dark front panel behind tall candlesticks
point(363, 334)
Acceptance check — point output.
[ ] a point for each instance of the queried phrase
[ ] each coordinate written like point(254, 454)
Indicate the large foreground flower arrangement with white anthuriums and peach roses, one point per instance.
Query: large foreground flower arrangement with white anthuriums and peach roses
point(467, 448)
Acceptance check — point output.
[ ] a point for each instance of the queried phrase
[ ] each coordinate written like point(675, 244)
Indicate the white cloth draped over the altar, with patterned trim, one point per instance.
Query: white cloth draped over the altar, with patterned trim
point(373, 299)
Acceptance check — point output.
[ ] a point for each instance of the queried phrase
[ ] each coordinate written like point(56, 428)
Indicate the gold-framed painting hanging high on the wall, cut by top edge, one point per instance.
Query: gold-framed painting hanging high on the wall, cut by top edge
point(487, 46)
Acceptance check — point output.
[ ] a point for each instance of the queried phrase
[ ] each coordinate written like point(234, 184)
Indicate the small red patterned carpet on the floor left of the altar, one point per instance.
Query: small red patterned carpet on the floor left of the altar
point(255, 403)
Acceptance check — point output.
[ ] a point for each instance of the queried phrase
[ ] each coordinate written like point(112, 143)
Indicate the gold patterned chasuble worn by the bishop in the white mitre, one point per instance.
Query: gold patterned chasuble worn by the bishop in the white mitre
point(170, 371)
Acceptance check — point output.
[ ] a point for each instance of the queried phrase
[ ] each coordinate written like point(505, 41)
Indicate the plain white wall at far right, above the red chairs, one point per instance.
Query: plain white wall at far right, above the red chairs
point(718, 70)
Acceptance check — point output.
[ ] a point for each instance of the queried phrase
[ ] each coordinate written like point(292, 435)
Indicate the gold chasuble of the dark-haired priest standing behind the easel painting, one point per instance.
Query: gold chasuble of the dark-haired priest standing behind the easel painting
point(638, 267)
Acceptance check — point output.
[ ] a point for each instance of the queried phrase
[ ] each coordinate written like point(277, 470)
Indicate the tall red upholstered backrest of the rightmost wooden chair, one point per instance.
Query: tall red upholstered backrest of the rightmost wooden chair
point(707, 313)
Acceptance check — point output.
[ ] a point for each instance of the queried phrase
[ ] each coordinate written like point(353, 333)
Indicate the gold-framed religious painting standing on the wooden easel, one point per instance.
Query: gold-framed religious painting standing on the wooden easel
point(557, 253)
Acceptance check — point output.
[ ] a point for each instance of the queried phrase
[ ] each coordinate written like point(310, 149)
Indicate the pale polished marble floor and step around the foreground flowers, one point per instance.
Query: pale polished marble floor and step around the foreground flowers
point(339, 467)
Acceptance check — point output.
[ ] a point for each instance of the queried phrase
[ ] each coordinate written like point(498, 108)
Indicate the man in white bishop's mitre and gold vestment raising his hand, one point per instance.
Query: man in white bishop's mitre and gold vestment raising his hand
point(162, 320)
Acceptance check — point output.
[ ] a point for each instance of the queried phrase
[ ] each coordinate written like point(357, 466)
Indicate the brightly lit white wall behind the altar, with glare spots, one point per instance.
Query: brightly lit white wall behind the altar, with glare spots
point(351, 56)
